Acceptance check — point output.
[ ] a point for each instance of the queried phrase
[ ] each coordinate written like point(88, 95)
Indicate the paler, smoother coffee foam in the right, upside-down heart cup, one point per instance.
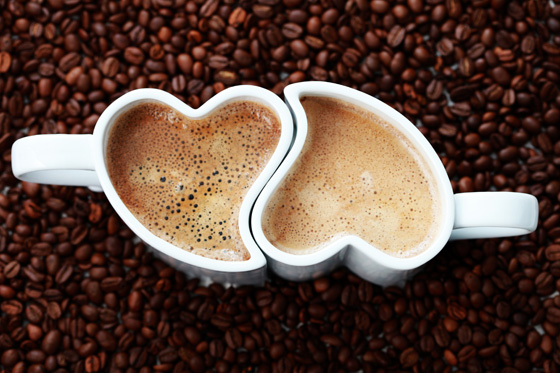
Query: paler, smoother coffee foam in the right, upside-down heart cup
point(356, 175)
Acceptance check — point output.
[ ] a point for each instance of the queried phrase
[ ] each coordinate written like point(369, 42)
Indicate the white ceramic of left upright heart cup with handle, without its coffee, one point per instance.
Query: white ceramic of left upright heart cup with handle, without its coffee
point(80, 160)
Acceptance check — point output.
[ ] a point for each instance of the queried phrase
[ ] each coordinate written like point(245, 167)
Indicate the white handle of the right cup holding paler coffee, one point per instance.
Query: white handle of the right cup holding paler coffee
point(494, 214)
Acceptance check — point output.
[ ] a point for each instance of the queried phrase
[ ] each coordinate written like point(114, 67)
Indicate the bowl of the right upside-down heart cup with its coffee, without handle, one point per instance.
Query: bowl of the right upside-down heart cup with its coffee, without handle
point(360, 187)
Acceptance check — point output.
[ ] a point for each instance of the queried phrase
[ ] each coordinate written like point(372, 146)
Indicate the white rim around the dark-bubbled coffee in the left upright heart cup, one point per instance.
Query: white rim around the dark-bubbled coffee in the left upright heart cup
point(238, 93)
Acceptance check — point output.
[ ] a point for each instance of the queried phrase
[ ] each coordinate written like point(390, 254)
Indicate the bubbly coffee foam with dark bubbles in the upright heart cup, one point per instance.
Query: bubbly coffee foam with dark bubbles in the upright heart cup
point(185, 179)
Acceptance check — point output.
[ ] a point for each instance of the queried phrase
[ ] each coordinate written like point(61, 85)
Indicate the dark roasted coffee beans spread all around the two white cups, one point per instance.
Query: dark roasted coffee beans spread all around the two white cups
point(480, 78)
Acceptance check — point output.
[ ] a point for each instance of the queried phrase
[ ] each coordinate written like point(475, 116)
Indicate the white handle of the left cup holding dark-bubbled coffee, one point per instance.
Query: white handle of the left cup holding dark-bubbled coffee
point(56, 159)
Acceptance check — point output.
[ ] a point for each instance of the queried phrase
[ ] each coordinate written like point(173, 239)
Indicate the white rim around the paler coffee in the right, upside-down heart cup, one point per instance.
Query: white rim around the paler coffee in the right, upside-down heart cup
point(293, 94)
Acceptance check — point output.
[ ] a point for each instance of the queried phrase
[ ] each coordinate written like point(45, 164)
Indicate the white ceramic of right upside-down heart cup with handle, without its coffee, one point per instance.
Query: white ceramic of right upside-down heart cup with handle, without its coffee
point(464, 216)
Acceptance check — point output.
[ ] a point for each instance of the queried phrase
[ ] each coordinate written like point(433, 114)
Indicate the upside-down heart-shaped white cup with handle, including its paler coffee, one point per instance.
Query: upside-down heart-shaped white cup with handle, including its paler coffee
point(309, 196)
